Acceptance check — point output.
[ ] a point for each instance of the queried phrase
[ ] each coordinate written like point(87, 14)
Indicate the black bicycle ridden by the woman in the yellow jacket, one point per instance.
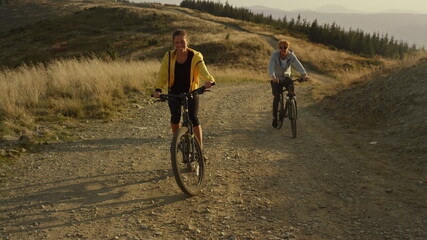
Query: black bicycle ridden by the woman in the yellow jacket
point(188, 164)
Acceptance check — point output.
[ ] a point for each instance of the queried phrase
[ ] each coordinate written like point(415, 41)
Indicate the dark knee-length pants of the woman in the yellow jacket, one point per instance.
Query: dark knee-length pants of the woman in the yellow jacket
point(193, 110)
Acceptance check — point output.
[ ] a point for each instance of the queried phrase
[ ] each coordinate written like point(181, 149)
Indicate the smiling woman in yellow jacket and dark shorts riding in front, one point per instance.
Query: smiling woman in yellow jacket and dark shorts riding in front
point(181, 70)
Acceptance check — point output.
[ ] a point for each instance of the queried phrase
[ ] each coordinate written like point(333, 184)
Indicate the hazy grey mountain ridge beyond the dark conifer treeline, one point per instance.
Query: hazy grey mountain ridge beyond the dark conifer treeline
point(411, 28)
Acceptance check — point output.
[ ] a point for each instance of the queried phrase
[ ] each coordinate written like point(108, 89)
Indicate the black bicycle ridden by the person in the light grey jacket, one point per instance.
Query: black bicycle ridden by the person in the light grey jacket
point(288, 109)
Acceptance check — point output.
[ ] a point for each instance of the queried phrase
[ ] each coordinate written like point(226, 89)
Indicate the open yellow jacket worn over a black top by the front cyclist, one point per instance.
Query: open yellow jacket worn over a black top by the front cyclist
point(167, 68)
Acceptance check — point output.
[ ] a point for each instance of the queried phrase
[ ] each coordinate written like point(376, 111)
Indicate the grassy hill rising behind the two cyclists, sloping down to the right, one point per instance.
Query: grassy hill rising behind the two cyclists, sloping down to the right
point(141, 31)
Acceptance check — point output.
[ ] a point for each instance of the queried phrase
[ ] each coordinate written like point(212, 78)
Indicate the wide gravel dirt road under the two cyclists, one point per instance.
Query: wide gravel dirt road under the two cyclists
point(116, 182)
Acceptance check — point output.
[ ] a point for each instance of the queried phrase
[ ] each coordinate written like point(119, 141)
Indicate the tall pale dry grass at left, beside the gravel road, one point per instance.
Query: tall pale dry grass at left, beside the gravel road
point(76, 88)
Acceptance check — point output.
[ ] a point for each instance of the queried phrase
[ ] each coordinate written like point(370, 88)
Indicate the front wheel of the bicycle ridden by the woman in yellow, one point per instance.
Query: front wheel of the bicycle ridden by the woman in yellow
point(187, 162)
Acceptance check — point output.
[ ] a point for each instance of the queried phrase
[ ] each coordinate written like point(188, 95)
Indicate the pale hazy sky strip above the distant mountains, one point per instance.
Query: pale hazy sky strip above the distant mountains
point(369, 6)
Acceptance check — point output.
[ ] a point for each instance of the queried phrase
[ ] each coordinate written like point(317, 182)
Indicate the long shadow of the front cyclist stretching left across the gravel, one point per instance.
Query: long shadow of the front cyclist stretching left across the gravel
point(65, 202)
